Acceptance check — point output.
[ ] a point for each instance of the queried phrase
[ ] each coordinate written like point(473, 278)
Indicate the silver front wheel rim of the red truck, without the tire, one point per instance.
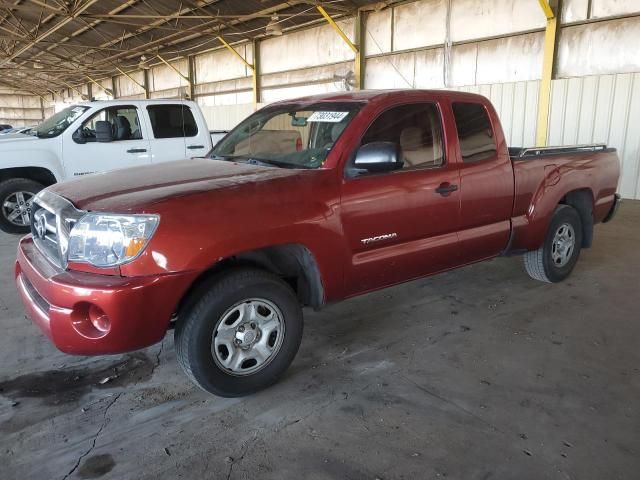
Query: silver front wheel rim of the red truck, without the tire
point(248, 336)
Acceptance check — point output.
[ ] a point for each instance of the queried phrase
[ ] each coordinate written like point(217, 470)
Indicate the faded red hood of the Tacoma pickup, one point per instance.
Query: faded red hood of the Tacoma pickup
point(138, 189)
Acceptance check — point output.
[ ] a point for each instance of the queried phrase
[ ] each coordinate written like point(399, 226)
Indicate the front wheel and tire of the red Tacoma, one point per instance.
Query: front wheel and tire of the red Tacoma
point(251, 294)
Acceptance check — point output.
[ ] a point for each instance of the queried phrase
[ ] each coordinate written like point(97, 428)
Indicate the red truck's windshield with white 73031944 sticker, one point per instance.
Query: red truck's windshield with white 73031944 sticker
point(288, 136)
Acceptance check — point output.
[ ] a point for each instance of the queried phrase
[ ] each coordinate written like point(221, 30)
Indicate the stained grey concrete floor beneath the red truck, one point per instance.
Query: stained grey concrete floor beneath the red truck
point(480, 373)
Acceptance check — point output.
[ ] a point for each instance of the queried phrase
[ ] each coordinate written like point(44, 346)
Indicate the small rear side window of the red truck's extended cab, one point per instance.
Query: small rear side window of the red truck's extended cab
point(475, 133)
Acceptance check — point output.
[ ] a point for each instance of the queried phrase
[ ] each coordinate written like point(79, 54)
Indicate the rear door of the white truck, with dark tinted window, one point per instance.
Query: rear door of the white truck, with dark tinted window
point(176, 135)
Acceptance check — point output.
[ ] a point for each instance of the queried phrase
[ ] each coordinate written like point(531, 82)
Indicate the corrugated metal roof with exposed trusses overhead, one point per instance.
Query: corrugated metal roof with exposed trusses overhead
point(47, 45)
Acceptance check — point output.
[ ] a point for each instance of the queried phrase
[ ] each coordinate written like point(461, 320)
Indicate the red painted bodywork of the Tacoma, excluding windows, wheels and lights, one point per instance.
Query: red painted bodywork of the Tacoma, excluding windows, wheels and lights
point(212, 210)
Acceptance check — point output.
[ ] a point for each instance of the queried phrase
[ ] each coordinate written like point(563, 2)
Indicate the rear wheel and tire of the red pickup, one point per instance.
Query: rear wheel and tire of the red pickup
point(552, 263)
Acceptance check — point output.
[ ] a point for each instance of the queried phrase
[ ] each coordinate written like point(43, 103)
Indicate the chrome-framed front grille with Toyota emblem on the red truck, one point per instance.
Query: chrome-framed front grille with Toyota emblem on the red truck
point(51, 221)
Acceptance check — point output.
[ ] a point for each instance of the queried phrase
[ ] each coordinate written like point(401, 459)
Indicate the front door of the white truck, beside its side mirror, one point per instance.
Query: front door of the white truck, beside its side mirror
point(83, 155)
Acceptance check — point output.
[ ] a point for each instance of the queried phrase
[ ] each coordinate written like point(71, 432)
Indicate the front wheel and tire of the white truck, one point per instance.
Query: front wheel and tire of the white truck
point(22, 187)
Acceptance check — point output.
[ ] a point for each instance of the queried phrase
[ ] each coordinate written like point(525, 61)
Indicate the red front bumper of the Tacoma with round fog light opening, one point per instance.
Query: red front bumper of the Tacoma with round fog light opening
point(58, 301)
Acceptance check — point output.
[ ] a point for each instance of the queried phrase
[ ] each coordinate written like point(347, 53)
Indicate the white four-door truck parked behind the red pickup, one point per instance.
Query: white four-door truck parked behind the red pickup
point(95, 137)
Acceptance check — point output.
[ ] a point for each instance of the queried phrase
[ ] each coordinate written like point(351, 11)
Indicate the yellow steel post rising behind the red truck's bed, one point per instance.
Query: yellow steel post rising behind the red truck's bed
point(544, 99)
